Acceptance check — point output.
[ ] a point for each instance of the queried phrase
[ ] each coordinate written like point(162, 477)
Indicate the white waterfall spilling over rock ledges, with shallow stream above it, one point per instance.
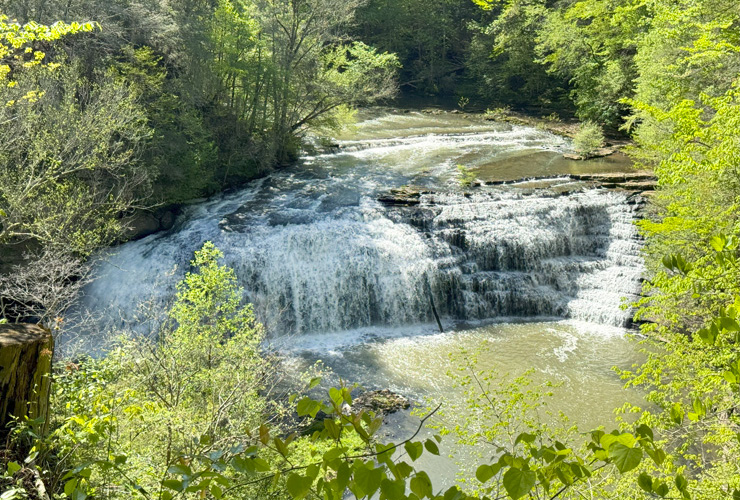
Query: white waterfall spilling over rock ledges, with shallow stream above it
point(316, 252)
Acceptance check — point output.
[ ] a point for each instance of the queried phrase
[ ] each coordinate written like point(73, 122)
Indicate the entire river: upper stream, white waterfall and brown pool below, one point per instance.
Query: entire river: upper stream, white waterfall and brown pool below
point(538, 274)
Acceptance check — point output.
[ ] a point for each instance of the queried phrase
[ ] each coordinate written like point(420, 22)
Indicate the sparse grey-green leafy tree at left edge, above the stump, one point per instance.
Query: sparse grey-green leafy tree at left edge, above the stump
point(68, 167)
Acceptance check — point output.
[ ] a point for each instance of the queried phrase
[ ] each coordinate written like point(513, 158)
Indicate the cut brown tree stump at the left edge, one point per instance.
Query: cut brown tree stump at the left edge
point(25, 367)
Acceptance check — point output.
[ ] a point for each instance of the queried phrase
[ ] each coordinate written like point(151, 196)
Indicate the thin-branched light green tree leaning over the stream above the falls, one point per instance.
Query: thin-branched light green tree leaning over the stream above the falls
point(313, 72)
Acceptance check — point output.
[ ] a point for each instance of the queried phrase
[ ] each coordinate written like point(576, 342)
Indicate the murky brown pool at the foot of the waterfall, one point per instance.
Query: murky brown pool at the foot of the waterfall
point(577, 357)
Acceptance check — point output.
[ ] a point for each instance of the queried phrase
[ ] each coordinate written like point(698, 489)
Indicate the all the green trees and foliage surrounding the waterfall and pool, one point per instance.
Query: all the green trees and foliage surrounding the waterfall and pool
point(114, 108)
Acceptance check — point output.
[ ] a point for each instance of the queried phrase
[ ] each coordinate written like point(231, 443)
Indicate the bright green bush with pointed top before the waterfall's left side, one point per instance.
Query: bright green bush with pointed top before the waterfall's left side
point(195, 389)
